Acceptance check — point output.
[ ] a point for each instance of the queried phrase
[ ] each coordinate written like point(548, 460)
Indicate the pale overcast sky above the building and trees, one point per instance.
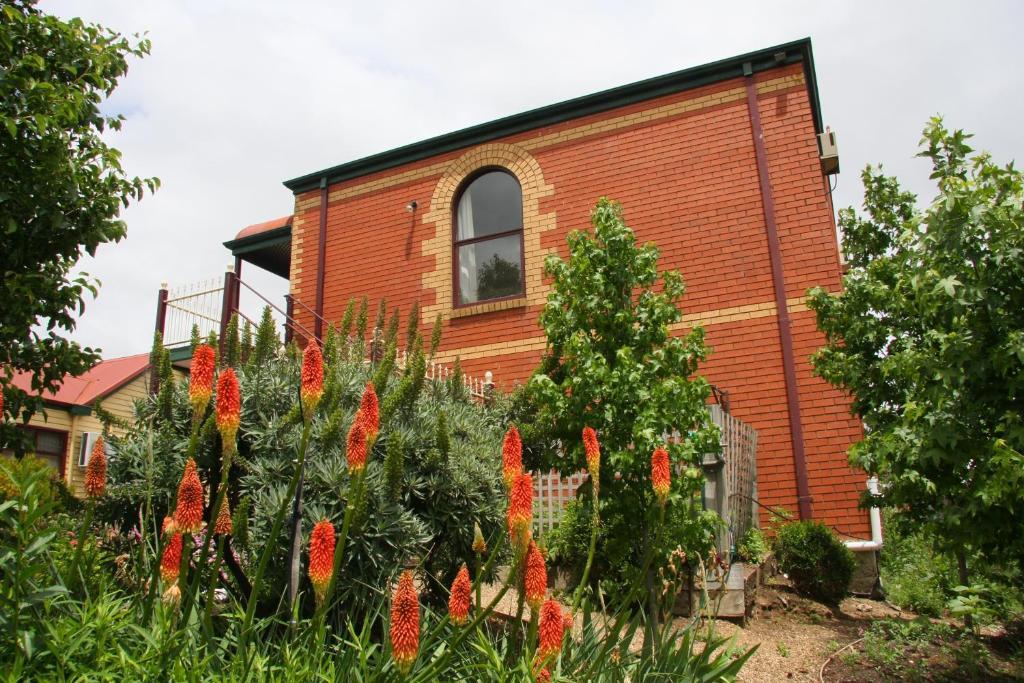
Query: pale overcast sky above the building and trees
point(239, 97)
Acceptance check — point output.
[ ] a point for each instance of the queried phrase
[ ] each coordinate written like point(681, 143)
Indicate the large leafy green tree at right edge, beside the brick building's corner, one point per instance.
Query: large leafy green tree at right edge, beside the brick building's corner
point(928, 337)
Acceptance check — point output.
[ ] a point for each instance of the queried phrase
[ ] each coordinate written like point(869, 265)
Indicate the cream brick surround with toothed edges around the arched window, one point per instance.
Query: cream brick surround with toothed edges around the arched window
point(521, 163)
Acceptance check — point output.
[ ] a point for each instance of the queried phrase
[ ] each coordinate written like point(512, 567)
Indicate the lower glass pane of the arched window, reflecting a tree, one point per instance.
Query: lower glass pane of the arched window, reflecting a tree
point(491, 270)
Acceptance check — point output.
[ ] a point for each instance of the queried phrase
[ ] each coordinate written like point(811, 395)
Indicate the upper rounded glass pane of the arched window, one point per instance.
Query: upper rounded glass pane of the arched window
point(492, 204)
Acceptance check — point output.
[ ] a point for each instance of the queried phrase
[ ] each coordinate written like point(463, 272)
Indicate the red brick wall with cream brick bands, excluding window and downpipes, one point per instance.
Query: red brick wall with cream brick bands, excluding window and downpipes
point(685, 168)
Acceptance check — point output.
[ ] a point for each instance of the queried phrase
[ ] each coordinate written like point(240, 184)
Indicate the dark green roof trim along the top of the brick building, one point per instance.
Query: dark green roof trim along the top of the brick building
point(798, 52)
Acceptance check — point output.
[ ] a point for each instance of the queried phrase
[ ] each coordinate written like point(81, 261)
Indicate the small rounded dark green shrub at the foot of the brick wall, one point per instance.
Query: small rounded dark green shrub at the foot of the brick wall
point(818, 563)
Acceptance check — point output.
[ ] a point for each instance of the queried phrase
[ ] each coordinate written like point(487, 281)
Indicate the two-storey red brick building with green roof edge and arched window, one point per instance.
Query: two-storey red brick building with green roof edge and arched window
point(719, 165)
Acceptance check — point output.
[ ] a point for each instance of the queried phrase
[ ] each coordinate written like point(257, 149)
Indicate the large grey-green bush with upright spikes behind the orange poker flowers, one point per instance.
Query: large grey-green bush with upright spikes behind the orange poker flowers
point(423, 516)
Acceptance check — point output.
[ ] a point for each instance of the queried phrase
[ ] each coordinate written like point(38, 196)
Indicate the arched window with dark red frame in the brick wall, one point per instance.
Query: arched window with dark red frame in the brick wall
point(488, 246)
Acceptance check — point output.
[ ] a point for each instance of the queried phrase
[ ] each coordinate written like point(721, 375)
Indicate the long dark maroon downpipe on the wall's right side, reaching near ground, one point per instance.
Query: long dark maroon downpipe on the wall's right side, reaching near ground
point(779, 281)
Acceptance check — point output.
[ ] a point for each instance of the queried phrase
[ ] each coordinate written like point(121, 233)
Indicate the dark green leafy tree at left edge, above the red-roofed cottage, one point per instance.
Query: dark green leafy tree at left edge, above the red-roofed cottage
point(62, 189)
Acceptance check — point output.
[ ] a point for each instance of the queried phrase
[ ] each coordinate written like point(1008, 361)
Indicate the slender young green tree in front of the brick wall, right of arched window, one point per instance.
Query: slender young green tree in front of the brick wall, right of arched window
point(617, 362)
